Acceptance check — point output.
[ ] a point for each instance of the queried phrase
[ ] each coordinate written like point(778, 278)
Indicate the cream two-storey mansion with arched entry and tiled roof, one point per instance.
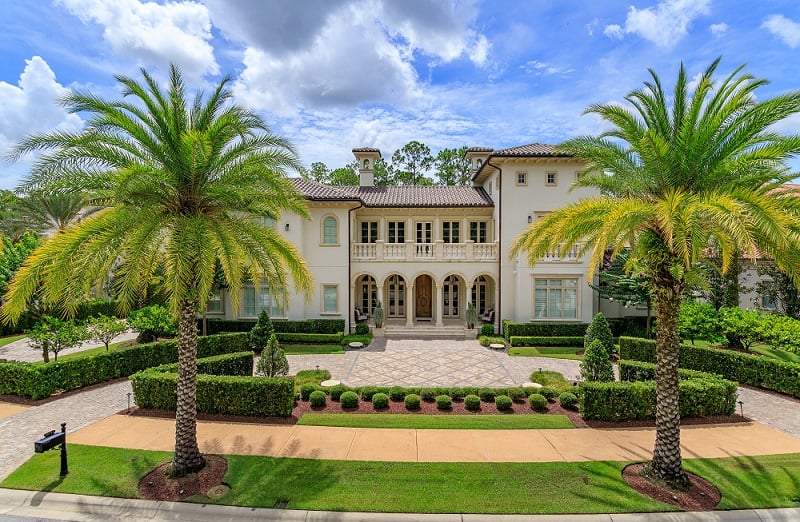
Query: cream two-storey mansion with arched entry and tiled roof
point(425, 252)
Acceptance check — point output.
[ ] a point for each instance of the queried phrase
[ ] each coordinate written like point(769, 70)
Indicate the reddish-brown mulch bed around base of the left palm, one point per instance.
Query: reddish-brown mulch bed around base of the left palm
point(207, 482)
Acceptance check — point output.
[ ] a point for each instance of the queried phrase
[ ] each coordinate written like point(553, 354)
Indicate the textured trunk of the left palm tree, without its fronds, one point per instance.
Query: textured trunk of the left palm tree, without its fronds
point(187, 457)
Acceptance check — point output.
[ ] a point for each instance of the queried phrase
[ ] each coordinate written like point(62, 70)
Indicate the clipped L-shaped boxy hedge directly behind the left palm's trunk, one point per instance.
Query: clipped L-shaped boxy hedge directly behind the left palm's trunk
point(155, 388)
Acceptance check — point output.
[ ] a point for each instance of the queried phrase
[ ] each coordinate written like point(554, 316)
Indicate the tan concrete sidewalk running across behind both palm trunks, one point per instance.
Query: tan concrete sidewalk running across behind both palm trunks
point(411, 445)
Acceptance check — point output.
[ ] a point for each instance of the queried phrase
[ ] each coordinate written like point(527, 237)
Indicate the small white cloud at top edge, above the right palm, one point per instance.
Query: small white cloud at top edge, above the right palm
point(664, 25)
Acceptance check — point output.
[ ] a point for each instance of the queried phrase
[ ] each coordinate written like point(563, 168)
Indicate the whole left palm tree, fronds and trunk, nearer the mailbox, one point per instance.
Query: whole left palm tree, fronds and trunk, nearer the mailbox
point(178, 183)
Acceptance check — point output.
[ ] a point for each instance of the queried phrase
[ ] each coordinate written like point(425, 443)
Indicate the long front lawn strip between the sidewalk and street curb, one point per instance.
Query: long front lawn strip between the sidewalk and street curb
point(582, 487)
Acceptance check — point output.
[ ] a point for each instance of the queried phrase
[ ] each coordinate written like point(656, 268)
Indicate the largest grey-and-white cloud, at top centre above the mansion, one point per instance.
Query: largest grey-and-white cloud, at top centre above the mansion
point(330, 54)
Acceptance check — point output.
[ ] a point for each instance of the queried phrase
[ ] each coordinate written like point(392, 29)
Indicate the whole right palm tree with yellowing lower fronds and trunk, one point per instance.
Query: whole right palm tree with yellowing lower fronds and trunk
point(675, 175)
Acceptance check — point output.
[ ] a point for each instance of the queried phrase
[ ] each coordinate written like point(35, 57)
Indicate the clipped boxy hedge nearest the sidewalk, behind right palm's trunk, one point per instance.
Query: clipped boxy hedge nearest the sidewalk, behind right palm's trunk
point(636, 400)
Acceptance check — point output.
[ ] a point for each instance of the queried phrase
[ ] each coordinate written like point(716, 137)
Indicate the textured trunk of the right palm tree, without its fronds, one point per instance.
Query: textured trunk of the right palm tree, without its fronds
point(667, 463)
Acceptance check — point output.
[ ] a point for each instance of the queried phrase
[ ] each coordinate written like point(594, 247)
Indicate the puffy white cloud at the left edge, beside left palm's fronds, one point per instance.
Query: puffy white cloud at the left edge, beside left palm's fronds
point(30, 107)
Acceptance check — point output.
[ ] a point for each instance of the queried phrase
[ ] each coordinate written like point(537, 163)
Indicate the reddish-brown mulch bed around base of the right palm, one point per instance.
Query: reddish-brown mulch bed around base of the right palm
point(701, 496)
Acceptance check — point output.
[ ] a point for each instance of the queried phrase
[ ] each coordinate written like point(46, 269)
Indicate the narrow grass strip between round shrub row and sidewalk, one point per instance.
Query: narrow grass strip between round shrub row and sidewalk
point(454, 422)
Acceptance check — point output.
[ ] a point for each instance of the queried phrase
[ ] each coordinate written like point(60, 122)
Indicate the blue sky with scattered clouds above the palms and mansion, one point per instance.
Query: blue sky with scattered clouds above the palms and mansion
point(332, 75)
